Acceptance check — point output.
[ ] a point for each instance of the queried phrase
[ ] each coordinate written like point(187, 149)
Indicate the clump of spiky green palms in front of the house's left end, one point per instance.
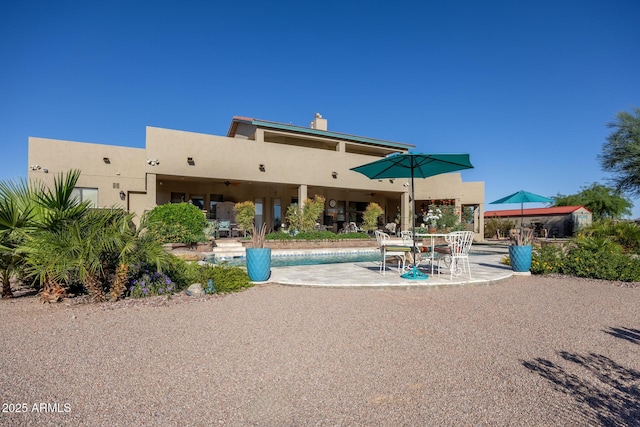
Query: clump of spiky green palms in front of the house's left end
point(67, 243)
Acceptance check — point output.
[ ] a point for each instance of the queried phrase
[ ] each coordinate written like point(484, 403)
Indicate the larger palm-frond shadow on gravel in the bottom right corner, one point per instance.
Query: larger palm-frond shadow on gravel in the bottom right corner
point(606, 391)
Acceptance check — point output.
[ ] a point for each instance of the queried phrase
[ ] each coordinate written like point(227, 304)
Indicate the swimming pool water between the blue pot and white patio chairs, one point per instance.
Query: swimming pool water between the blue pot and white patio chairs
point(295, 259)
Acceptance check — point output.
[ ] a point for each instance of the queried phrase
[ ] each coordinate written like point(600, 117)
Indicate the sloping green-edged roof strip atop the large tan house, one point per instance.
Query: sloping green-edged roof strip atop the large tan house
point(309, 131)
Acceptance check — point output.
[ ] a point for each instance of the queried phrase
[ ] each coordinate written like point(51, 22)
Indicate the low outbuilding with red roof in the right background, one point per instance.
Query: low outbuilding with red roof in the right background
point(557, 221)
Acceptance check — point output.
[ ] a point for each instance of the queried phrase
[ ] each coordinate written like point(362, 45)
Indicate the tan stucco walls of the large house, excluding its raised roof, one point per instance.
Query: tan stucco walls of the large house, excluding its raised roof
point(219, 158)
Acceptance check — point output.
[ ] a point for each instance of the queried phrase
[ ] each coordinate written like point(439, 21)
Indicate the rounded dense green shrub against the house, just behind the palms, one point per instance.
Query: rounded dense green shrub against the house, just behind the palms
point(176, 223)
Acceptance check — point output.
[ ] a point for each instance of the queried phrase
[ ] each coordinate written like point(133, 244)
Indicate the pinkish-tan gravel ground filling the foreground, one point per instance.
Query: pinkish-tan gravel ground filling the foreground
point(543, 351)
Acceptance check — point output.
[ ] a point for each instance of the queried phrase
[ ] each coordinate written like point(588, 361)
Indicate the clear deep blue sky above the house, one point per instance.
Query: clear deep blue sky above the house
point(526, 88)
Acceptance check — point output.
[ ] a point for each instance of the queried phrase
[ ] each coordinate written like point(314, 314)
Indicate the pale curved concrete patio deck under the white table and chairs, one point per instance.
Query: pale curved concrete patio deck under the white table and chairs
point(485, 269)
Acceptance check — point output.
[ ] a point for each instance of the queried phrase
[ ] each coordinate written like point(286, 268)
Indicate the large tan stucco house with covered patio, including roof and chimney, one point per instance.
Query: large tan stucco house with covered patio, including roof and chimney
point(273, 164)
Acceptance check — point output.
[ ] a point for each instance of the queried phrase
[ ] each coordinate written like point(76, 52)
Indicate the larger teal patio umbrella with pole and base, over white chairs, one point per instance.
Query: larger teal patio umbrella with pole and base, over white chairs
point(414, 165)
